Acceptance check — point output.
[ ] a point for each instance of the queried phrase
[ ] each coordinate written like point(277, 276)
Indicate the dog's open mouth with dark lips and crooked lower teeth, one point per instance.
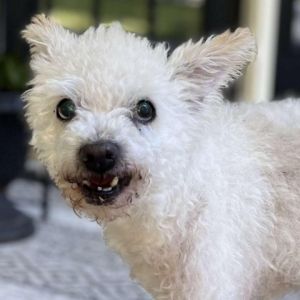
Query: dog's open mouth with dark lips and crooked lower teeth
point(104, 189)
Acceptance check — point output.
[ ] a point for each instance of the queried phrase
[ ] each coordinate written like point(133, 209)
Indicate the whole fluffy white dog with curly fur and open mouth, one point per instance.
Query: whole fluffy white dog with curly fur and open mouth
point(199, 196)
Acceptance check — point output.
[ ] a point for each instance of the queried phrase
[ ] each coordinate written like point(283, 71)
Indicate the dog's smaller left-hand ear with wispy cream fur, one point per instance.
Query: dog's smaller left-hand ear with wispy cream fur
point(43, 35)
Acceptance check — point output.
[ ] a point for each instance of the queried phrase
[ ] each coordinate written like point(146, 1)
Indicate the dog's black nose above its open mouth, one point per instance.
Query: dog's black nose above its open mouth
point(99, 157)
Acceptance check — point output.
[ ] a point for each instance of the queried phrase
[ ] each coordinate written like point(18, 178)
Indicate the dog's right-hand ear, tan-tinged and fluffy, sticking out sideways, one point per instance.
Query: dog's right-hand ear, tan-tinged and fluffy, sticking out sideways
point(214, 63)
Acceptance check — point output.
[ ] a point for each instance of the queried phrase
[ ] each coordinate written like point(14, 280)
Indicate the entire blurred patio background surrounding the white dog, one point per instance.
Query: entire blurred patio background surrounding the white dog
point(45, 250)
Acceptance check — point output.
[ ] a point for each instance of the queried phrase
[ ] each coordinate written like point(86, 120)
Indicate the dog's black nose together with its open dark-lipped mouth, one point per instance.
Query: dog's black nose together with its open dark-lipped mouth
point(102, 185)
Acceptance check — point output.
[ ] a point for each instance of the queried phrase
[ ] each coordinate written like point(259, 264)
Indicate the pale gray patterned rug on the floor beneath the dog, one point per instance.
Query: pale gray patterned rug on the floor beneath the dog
point(65, 259)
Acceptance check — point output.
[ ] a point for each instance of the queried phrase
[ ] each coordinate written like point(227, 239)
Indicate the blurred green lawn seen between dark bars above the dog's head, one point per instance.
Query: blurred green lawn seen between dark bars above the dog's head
point(174, 21)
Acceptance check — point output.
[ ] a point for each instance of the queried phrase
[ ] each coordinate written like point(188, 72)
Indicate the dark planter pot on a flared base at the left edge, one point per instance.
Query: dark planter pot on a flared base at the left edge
point(13, 139)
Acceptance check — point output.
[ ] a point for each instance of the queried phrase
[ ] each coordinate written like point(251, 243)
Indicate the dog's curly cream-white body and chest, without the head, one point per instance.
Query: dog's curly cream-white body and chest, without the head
point(234, 231)
